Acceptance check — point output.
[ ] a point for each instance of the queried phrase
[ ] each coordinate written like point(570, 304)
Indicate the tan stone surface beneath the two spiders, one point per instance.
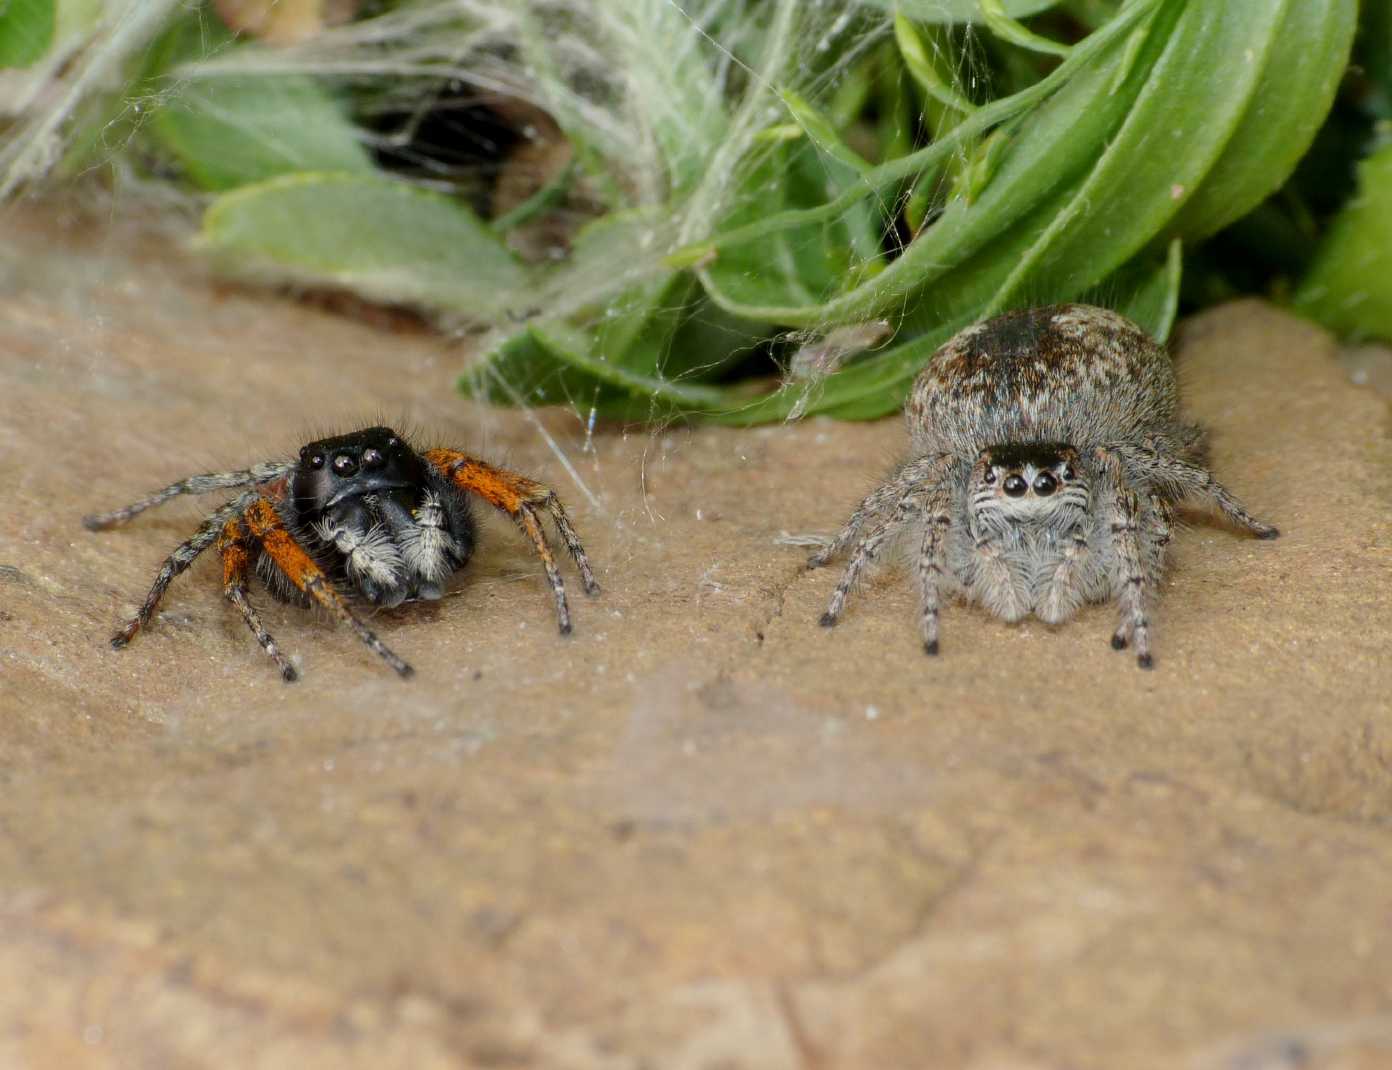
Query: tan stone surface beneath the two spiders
point(701, 834)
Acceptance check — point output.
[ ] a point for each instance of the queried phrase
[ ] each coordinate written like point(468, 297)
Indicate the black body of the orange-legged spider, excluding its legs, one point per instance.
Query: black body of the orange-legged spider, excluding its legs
point(378, 517)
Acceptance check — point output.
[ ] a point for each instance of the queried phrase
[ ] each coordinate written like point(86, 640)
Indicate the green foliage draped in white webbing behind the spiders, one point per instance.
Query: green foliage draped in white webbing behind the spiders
point(744, 211)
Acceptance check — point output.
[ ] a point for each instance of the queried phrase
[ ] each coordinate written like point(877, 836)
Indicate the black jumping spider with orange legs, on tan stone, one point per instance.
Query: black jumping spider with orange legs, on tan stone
point(361, 513)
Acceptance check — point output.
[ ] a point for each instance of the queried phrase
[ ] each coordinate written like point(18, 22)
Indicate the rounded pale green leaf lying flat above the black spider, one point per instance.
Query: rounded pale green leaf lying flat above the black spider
point(383, 240)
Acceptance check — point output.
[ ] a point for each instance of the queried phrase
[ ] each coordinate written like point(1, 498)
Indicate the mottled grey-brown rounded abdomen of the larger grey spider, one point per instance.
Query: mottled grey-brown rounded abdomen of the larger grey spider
point(1066, 374)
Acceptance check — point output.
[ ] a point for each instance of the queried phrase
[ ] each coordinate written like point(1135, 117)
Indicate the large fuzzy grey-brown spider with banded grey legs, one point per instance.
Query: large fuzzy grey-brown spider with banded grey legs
point(1047, 456)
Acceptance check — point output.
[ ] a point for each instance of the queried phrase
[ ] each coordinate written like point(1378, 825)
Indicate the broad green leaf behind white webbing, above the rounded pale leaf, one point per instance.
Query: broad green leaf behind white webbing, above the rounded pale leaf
point(229, 131)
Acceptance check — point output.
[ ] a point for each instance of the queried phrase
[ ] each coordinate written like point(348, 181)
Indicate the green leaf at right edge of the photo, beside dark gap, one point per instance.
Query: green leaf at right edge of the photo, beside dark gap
point(1350, 285)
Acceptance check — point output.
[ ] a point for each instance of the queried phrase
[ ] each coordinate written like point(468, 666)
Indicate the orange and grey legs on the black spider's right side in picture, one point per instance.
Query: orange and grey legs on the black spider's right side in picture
point(521, 499)
